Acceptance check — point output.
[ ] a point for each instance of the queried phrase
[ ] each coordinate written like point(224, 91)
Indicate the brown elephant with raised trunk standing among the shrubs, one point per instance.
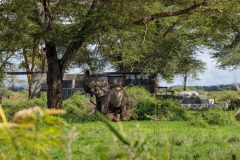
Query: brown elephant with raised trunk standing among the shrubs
point(109, 99)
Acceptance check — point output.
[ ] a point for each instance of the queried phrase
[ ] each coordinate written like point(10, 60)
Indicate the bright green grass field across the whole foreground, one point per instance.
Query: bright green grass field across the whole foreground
point(148, 140)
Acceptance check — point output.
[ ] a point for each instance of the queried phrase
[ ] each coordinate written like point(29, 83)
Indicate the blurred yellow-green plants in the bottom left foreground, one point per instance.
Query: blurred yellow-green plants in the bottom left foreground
point(34, 139)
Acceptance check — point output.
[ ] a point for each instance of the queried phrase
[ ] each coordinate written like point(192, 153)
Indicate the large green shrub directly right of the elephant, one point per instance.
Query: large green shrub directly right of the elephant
point(145, 106)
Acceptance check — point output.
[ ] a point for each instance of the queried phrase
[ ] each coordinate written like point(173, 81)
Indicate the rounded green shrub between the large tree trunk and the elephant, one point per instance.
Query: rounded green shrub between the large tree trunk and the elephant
point(77, 109)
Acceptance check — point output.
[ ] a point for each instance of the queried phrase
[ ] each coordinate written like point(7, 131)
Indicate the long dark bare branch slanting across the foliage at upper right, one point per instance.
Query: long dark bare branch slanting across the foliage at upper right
point(153, 17)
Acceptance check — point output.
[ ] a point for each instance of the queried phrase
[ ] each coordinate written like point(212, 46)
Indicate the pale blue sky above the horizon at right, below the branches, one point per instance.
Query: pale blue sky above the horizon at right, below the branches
point(211, 76)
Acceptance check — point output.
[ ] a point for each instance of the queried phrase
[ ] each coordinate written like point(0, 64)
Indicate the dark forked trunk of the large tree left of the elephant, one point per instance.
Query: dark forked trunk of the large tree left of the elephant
point(57, 66)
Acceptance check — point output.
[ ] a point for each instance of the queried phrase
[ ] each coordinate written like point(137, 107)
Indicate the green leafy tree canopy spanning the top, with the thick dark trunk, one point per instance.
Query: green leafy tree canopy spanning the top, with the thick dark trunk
point(148, 36)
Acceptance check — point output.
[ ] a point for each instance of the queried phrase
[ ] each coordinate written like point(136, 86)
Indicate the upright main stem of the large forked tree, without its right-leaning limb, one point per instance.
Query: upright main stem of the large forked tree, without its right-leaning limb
point(54, 78)
